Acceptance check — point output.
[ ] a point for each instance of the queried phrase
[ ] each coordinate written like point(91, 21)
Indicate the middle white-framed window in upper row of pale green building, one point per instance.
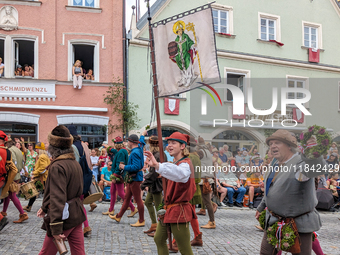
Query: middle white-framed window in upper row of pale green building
point(269, 27)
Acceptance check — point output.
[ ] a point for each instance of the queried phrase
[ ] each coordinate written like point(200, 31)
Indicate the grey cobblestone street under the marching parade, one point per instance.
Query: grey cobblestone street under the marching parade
point(235, 233)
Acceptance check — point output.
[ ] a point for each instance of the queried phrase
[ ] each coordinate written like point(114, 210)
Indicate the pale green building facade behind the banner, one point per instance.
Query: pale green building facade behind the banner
point(260, 45)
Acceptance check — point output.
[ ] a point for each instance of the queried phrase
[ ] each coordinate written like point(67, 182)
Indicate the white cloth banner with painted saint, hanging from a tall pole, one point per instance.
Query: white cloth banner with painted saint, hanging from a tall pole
point(185, 52)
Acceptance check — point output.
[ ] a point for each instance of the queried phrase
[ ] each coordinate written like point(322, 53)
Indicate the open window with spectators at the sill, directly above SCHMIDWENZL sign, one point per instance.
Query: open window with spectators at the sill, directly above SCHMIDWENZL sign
point(24, 58)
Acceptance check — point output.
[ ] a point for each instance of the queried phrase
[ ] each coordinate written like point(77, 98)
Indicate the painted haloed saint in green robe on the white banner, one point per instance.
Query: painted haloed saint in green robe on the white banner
point(183, 52)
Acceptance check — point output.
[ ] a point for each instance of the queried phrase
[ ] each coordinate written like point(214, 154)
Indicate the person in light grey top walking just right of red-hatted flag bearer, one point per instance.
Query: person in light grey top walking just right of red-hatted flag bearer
point(207, 179)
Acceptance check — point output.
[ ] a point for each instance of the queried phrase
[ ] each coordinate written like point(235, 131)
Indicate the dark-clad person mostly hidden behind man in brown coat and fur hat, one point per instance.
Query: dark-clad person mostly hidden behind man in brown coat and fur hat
point(80, 149)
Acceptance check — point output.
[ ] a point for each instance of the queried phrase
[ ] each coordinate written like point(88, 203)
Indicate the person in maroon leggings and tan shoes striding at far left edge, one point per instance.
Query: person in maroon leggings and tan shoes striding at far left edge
point(13, 188)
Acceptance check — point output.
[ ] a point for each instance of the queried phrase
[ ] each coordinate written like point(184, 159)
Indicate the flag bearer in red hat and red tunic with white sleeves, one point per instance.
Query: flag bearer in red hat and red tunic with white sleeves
point(180, 190)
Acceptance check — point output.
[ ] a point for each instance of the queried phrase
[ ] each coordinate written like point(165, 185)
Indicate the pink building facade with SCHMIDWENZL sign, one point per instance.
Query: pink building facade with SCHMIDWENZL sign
point(49, 36)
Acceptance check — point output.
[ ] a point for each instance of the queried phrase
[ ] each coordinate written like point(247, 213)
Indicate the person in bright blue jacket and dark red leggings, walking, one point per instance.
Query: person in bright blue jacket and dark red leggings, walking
point(117, 186)
